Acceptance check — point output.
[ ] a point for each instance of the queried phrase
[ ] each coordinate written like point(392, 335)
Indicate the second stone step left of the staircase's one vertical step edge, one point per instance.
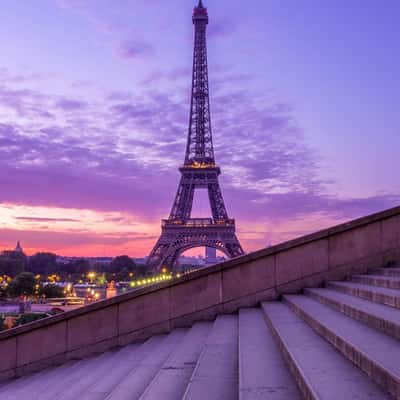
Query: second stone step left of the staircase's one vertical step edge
point(171, 381)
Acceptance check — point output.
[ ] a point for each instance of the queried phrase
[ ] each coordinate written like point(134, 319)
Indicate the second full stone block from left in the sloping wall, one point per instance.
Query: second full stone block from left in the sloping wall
point(89, 329)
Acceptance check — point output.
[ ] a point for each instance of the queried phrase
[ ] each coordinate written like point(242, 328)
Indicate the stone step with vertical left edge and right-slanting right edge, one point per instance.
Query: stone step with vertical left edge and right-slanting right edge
point(263, 373)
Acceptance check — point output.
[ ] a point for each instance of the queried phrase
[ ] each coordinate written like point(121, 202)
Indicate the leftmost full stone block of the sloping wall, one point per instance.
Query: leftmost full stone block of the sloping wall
point(42, 344)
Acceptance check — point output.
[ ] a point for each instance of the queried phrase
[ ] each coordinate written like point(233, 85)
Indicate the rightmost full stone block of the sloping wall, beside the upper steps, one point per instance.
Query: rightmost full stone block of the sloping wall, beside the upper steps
point(353, 245)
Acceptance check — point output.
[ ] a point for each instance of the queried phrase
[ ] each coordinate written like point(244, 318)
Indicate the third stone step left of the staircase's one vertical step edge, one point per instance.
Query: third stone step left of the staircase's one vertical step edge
point(135, 383)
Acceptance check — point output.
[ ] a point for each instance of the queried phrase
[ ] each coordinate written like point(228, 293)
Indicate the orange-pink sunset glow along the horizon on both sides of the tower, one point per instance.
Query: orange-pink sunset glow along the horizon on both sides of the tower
point(91, 233)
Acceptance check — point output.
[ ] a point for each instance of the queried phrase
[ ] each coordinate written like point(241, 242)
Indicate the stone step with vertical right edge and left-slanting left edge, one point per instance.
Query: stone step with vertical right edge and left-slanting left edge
point(216, 374)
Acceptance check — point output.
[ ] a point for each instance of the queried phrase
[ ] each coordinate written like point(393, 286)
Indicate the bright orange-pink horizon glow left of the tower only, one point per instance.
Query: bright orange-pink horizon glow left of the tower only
point(74, 232)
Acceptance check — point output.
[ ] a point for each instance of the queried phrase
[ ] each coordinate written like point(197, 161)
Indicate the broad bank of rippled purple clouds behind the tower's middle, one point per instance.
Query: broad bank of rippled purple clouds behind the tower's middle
point(122, 153)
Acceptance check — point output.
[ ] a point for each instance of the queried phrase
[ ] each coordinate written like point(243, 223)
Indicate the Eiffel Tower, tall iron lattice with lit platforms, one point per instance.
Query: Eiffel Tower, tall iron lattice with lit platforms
point(180, 232)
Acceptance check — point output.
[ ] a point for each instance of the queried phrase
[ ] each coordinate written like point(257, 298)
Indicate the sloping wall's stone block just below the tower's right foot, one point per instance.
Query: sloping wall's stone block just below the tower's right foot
point(252, 277)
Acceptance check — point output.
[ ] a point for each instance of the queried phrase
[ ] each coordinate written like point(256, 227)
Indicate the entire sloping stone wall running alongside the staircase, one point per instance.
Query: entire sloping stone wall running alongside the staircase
point(245, 281)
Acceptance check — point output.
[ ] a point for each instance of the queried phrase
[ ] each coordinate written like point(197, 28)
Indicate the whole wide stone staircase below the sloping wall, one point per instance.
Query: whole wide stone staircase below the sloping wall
point(338, 342)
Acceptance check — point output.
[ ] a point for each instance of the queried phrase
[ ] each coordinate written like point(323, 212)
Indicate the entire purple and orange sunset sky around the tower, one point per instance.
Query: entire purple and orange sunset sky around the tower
point(94, 108)
